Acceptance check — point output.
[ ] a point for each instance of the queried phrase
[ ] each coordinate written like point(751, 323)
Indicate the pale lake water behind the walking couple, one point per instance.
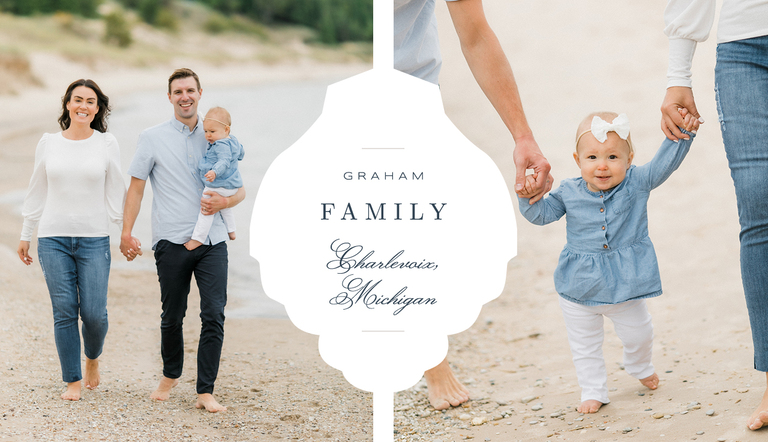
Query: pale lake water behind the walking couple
point(266, 119)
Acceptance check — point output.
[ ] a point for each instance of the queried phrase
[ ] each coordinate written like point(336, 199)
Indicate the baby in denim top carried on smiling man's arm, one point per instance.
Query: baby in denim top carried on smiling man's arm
point(219, 169)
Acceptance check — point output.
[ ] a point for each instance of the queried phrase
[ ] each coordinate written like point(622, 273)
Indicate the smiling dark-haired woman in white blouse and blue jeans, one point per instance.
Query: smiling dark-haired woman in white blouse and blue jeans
point(76, 187)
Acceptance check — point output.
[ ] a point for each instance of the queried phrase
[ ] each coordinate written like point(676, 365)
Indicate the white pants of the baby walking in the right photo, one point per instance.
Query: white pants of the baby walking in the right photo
point(584, 323)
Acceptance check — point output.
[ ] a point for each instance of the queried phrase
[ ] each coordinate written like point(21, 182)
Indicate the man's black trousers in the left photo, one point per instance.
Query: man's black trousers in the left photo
point(175, 267)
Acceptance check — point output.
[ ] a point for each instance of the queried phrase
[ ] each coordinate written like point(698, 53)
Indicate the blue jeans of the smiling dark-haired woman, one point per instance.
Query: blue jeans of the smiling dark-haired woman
point(76, 270)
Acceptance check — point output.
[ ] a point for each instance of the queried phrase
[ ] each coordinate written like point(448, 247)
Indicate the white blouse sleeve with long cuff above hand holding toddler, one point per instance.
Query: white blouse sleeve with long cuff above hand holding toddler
point(686, 23)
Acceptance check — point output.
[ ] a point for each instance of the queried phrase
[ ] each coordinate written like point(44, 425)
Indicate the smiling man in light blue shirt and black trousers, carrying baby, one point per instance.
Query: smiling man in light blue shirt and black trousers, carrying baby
point(168, 155)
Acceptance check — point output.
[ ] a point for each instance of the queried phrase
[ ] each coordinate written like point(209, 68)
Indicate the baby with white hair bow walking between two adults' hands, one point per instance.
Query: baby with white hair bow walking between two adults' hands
point(608, 266)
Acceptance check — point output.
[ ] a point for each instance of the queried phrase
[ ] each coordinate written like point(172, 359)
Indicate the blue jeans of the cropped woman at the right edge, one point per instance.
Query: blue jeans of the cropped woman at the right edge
point(741, 87)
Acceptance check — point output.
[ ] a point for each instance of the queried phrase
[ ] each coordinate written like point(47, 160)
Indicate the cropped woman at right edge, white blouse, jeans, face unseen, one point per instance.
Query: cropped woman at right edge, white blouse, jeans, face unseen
point(741, 87)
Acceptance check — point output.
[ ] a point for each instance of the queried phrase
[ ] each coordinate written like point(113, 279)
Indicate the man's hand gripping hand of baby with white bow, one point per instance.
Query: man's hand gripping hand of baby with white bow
point(527, 155)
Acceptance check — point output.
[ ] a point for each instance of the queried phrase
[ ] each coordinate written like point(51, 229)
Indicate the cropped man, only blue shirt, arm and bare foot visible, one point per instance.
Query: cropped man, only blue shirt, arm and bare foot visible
point(417, 53)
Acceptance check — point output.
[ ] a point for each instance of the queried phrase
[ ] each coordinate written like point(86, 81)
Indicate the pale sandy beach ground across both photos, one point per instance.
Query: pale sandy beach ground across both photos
point(569, 59)
